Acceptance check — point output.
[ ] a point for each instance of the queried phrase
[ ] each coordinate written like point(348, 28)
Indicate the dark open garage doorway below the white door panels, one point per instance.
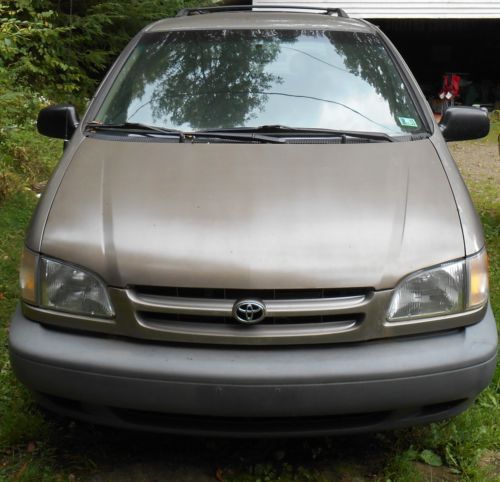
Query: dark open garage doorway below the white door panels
point(466, 49)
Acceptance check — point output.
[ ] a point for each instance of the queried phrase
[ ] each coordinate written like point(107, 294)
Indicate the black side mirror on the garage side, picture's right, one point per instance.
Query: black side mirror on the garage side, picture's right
point(463, 123)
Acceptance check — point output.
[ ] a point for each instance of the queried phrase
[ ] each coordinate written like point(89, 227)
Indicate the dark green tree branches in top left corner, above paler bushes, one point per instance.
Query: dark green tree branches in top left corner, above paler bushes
point(62, 48)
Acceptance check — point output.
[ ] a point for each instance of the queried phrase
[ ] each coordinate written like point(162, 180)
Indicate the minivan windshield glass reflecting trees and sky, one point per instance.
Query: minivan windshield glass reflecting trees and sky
point(192, 80)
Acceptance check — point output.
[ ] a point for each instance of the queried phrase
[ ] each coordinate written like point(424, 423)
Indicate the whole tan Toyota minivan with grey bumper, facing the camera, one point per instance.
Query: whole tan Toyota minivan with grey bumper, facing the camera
point(256, 229)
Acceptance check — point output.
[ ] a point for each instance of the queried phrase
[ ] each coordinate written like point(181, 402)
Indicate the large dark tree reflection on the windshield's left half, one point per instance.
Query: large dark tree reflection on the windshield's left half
point(199, 81)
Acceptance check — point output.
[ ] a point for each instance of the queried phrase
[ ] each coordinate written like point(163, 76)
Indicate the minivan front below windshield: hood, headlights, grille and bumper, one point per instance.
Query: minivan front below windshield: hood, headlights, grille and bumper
point(136, 333)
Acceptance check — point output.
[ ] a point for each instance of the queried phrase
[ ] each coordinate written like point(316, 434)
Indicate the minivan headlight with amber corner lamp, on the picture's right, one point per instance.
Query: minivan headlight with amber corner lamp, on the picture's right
point(446, 289)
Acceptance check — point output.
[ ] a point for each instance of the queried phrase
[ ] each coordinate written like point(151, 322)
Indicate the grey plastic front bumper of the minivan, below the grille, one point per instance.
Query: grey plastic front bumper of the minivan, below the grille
point(224, 390)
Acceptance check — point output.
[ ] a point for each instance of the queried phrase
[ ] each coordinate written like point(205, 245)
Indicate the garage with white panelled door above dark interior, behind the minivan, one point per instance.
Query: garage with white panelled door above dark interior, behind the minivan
point(451, 46)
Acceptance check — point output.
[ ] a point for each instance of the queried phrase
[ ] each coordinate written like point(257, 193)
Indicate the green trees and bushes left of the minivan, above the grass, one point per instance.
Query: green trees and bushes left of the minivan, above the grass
point(53, 51)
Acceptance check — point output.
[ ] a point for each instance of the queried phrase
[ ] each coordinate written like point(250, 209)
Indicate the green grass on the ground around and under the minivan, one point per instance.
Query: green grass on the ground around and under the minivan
point(36, 448)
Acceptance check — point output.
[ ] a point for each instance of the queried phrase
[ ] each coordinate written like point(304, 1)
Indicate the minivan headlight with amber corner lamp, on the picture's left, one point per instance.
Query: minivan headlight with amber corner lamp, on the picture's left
point(60, 286)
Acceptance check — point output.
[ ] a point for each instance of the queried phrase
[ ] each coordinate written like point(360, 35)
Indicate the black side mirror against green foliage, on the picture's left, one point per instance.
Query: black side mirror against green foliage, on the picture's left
point(59, 121)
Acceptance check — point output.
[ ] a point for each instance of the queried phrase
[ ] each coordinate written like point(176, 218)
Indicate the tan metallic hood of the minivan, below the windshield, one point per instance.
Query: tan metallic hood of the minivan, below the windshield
point(253, 216)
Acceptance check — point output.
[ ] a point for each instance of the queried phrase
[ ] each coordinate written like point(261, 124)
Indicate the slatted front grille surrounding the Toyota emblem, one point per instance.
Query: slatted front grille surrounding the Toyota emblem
point(205, 315)
